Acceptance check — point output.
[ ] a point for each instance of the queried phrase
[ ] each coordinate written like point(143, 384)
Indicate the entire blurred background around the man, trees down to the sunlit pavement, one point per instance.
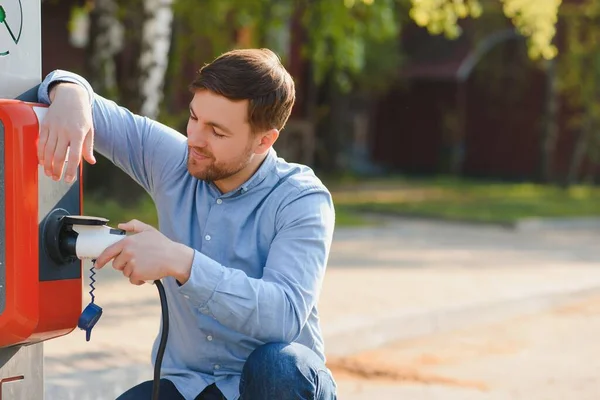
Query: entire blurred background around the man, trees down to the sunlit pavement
point(461, 142)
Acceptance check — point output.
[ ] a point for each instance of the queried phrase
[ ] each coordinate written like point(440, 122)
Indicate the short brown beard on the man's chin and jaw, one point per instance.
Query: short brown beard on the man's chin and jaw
point(213, 170)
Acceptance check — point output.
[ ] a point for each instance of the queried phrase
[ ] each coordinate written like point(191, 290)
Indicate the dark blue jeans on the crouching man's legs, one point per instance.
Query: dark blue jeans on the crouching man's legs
point(277, 371)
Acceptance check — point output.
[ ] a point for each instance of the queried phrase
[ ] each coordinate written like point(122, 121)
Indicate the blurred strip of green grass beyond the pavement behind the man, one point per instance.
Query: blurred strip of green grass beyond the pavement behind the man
point(442, 198)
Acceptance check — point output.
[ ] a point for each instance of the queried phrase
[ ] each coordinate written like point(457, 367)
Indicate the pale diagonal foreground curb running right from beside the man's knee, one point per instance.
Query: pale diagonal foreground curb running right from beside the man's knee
point(356, 335)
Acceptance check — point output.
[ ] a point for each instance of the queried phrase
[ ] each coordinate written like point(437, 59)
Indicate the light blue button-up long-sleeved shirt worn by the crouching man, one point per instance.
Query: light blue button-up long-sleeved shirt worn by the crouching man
point(260, 250)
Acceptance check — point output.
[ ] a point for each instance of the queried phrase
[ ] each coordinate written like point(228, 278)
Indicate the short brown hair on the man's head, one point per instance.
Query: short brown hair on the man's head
point(256, 75)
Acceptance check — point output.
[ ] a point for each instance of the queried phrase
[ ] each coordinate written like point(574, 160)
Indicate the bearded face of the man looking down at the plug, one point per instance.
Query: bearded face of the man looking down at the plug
point(219, 137)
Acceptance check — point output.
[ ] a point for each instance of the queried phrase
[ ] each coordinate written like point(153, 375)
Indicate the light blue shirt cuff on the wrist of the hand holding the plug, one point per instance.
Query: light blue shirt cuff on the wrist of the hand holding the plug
point(205, 276)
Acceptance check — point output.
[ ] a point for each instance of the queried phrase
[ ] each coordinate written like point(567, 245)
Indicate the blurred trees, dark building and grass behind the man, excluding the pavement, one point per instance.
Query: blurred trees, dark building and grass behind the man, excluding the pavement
point(485, 104)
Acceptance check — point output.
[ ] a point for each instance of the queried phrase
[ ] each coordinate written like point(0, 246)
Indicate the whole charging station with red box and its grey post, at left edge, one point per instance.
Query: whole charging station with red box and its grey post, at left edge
point(40, 292)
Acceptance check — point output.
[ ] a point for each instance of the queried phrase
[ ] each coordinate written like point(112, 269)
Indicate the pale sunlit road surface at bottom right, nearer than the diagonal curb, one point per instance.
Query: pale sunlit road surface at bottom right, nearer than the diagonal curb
point(548, 356)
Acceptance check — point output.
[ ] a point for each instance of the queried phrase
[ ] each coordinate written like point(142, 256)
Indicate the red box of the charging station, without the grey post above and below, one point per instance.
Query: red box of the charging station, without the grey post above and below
point(40, 298)
